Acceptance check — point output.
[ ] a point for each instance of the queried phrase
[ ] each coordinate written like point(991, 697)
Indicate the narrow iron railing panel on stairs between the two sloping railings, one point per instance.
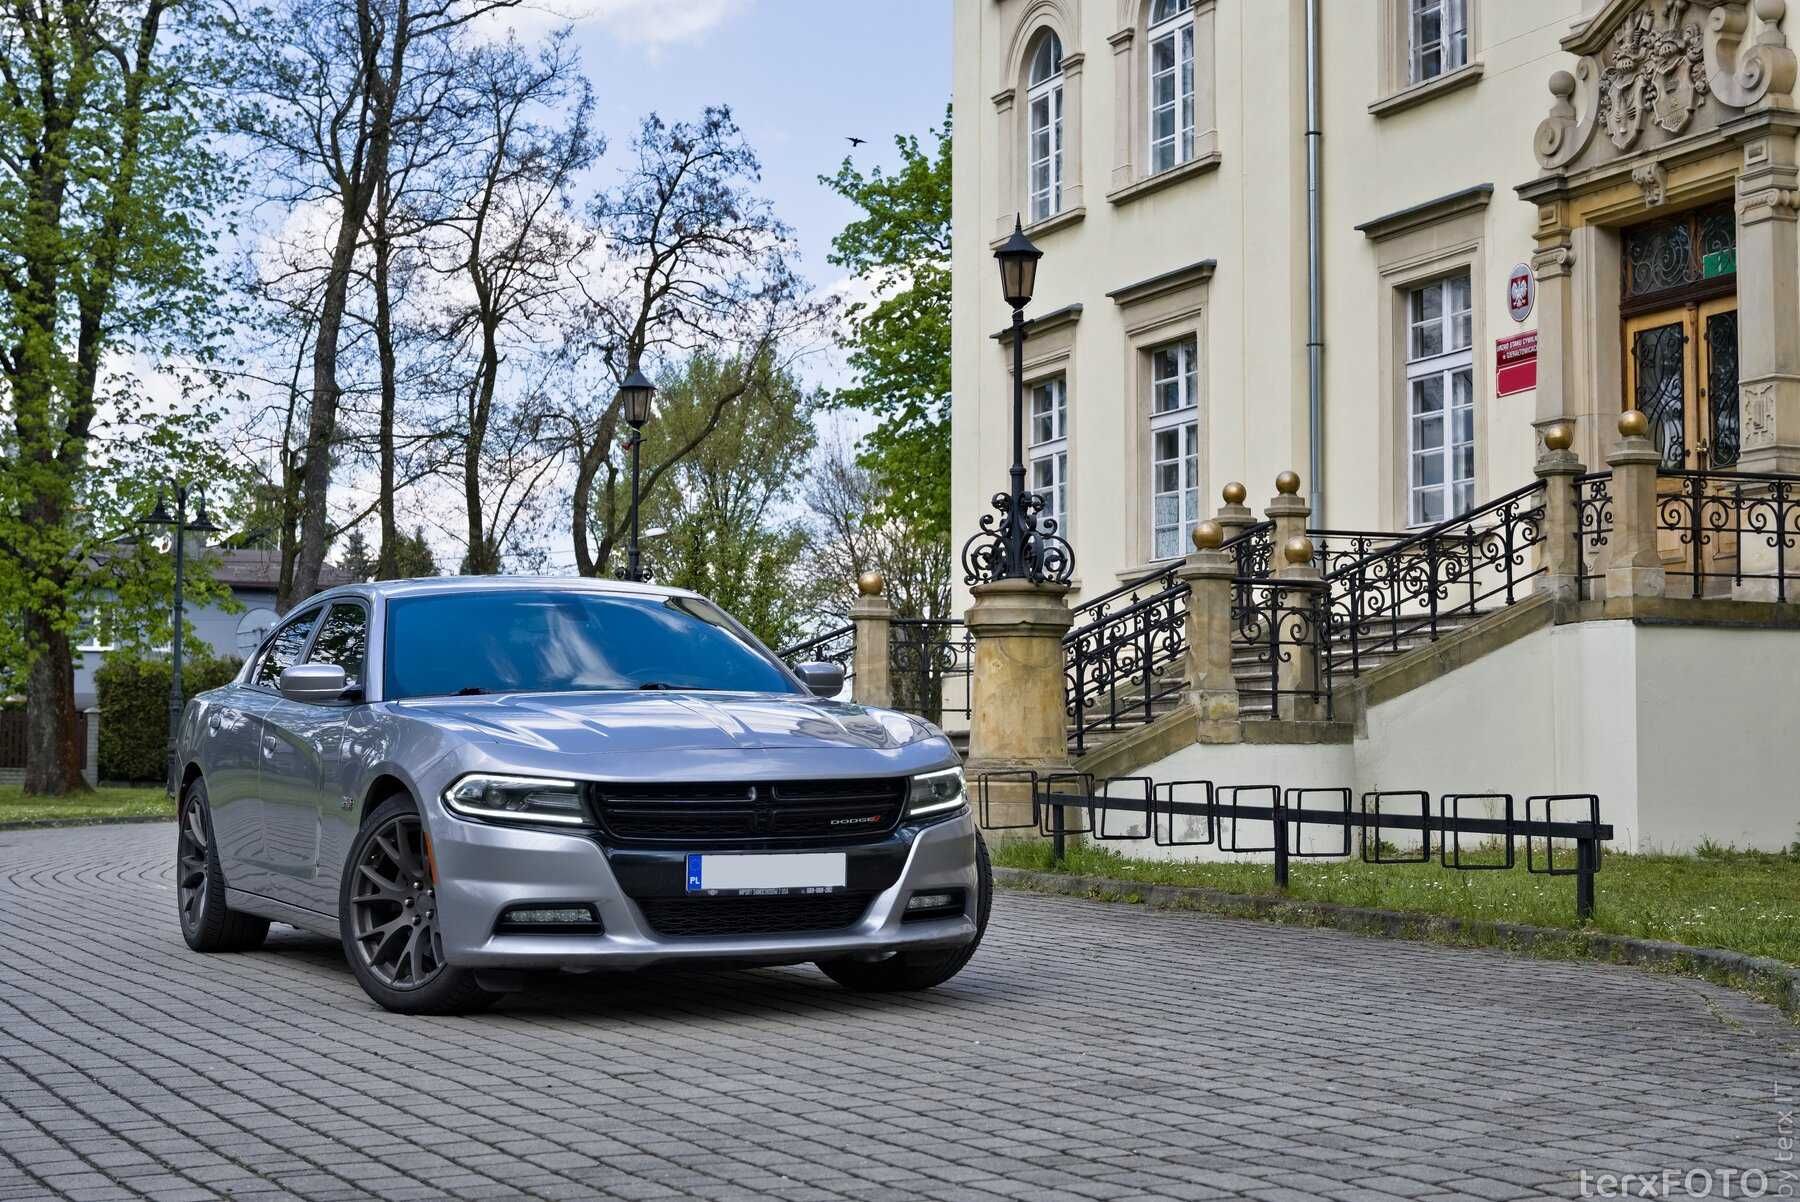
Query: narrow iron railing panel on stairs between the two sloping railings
point(1281, 627)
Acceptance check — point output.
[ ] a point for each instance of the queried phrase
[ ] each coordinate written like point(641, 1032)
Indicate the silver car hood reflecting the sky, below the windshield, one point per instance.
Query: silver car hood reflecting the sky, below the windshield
point(597, 724)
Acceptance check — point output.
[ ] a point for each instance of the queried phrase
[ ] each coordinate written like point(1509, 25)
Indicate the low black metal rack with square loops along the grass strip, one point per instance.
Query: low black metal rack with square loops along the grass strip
point(1561, 832)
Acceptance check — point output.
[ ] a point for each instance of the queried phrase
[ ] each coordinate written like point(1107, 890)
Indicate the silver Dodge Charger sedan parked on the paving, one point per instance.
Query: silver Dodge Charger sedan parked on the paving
point(474, 780)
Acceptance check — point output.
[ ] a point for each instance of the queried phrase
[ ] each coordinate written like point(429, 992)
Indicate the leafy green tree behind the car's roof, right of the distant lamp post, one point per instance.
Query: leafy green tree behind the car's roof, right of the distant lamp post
point(730, 517)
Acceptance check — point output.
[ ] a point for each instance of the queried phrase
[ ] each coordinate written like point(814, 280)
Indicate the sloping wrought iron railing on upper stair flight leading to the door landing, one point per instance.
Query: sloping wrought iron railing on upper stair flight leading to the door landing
point(1417, 586)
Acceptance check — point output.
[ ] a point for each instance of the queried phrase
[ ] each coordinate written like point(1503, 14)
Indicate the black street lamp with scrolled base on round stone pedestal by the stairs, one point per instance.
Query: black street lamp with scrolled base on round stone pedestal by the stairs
point(1018, 544)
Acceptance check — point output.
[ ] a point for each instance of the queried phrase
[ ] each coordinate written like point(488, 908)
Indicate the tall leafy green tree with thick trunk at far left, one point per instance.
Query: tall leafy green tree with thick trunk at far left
point(109, 192)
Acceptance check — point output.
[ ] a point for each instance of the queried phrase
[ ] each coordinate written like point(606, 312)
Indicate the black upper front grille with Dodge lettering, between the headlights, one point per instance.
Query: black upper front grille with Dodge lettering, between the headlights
point(696, 816)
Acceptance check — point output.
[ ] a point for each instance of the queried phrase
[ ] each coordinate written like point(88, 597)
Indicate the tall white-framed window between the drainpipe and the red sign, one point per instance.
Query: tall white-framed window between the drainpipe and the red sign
point(1457, 494)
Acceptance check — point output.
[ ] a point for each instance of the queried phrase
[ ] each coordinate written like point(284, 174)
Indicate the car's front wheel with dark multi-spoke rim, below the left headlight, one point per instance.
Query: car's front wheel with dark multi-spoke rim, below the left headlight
point(388, 919)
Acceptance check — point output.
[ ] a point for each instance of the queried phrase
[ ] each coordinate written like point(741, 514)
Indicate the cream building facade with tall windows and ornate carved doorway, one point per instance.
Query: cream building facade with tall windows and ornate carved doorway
point(1615, 177)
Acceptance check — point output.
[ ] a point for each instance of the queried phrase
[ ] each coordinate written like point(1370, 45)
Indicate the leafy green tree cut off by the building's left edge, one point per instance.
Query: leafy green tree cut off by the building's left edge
point(899, 341)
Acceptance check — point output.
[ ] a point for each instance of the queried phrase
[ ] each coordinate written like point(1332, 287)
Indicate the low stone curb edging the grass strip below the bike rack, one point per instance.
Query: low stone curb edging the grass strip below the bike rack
point(1772, 980)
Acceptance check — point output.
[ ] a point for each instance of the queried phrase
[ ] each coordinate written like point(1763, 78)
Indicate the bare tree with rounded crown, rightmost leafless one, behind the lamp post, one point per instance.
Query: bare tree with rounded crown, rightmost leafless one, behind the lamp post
point(699, 262)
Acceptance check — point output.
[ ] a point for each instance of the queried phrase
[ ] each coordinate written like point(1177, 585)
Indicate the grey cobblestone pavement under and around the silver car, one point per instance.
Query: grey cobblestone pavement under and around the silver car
point(1090, 1052)
